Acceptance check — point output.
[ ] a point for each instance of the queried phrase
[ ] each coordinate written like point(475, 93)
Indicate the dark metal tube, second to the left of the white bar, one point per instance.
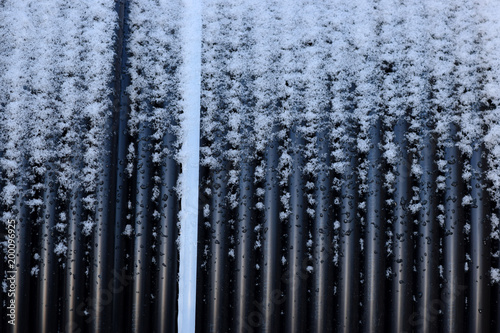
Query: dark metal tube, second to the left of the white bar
point(141, 287)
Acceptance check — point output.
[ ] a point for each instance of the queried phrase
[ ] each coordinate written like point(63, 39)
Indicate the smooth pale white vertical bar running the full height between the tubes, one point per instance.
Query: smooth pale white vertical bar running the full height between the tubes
point(190, 82)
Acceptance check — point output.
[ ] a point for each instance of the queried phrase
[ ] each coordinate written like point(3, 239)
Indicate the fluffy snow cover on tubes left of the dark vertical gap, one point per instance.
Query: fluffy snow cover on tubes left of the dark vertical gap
point(56, 61)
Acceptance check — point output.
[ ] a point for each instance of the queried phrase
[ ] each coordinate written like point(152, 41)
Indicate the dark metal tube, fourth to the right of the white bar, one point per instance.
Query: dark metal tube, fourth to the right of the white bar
point(295, 316)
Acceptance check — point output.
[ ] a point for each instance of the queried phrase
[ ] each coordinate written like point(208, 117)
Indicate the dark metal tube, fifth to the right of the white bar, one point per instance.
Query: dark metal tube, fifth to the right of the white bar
point(320, 317)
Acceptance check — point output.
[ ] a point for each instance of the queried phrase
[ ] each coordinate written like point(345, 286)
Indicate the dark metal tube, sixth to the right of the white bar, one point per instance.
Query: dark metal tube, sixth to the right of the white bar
point(348, 276)
